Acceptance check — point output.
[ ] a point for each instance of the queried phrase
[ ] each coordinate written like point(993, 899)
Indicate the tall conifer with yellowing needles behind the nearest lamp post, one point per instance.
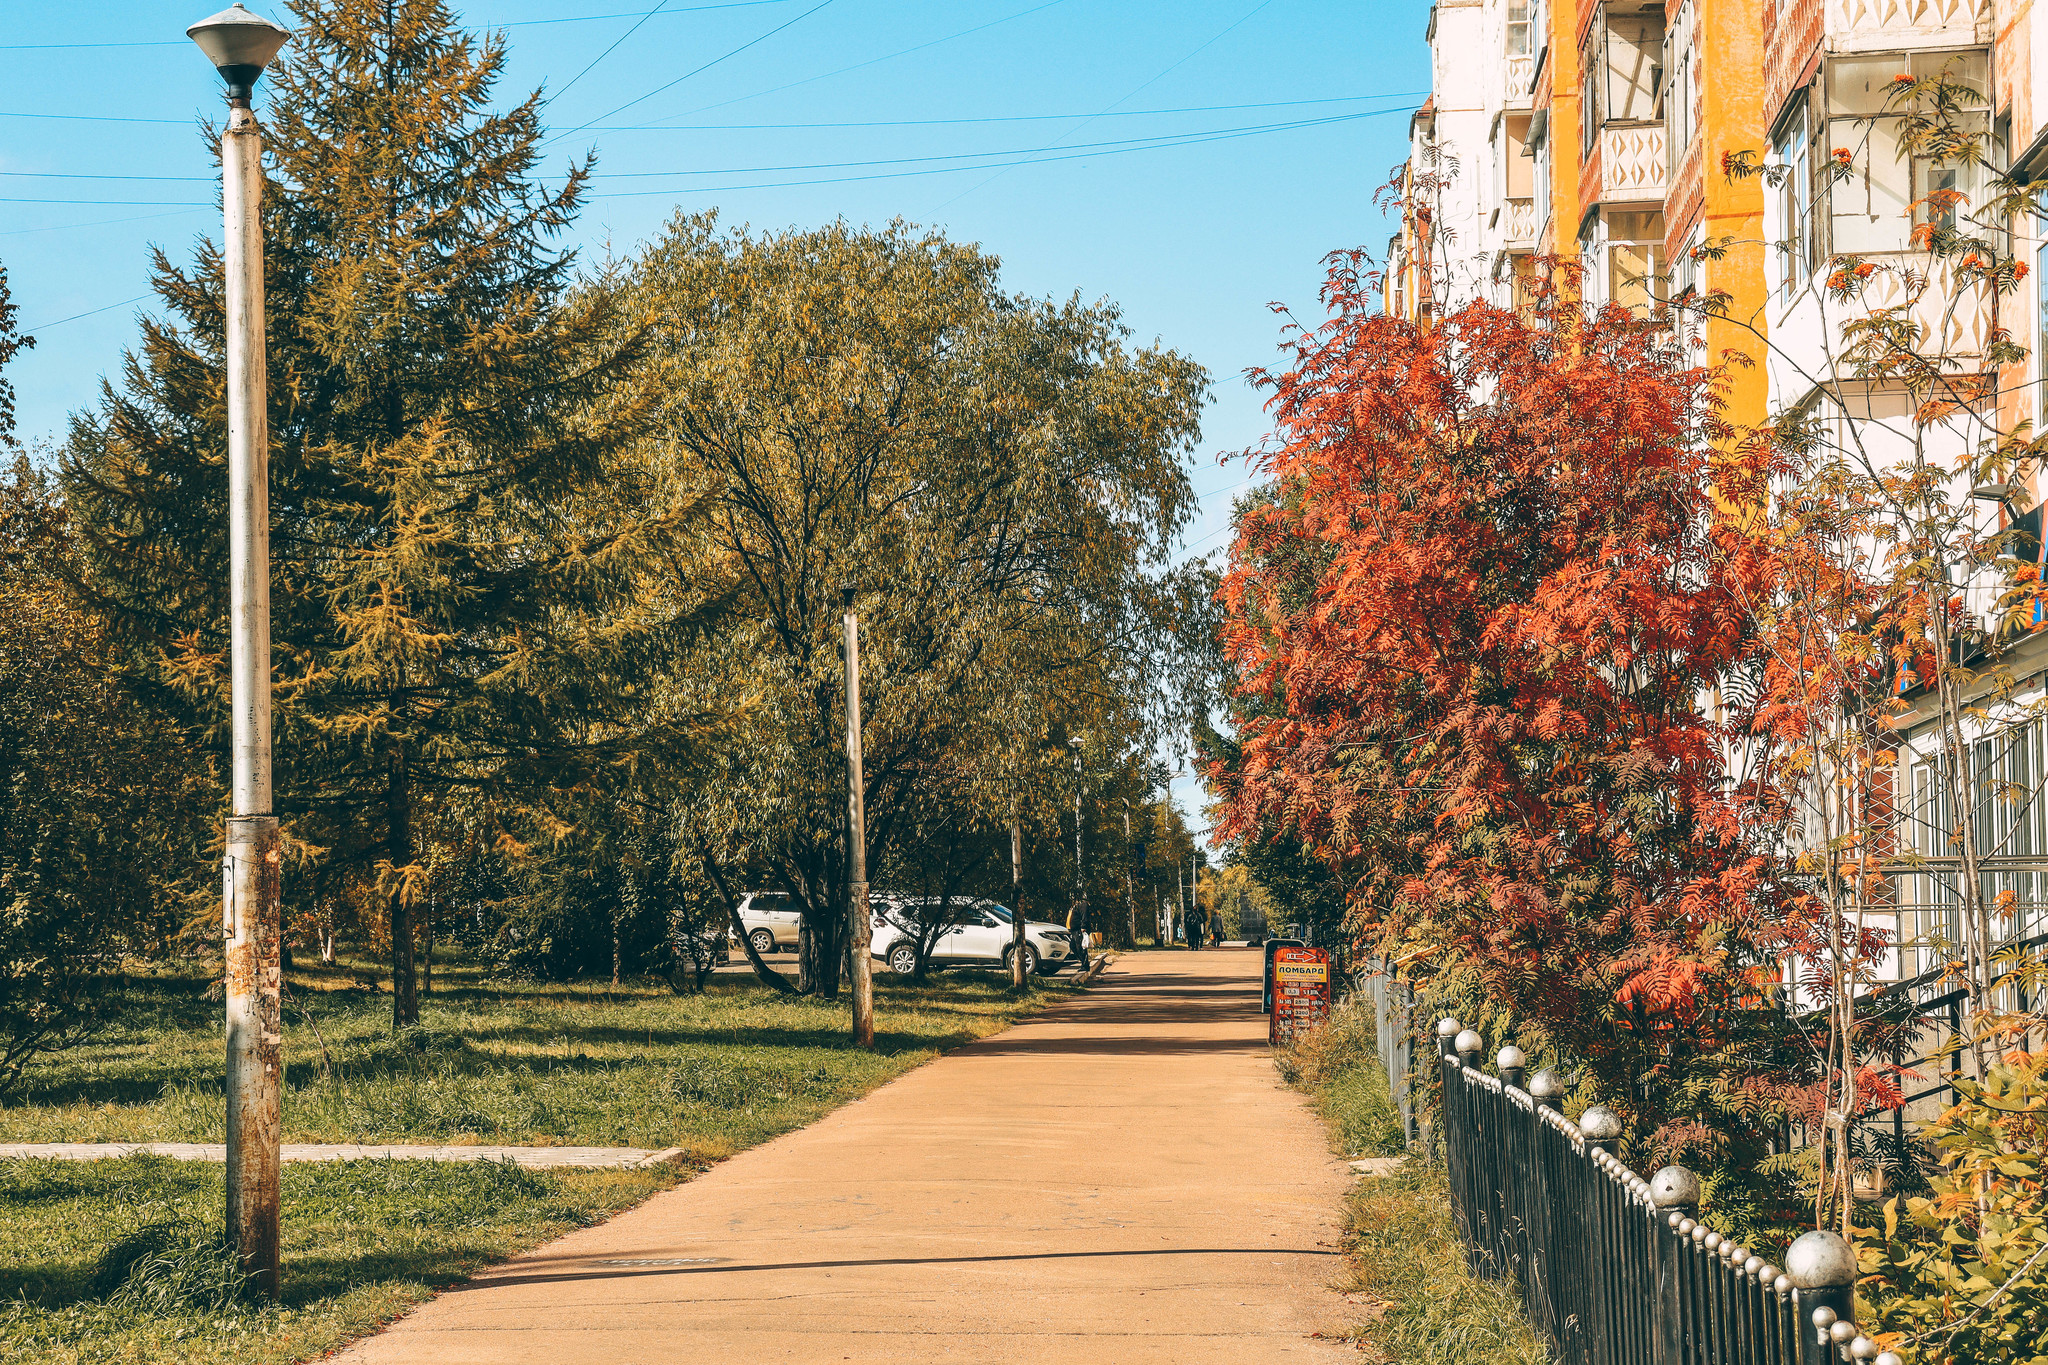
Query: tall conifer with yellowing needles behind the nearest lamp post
point(466, 570)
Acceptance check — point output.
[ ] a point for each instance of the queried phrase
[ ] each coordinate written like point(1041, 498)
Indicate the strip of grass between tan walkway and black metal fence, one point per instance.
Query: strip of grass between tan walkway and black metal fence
point(1406, 1270)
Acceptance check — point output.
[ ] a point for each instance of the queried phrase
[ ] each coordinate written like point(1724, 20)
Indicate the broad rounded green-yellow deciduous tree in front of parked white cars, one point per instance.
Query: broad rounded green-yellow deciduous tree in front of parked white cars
point(996, 478)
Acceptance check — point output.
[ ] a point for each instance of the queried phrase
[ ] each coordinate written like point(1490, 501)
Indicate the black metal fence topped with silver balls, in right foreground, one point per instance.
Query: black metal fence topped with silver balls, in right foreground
point(1617, 1270)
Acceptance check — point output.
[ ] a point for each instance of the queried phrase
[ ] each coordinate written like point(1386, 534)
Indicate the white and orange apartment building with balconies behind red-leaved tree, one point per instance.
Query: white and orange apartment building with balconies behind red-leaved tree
point(1617, 134)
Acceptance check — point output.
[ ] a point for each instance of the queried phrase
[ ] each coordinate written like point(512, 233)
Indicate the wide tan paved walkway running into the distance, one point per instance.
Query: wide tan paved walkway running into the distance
point(1117, 1180)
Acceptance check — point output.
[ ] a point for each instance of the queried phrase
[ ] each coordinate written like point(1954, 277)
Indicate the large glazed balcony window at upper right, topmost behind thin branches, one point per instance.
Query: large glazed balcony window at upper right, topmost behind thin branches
point(1875, 206)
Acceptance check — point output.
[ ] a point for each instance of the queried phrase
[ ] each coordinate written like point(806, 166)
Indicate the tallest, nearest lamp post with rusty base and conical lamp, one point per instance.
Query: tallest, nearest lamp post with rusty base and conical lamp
point(243, 46)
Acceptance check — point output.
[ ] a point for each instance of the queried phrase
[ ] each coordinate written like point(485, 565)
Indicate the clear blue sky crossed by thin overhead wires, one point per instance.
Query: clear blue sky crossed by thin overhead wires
point(1193, 240)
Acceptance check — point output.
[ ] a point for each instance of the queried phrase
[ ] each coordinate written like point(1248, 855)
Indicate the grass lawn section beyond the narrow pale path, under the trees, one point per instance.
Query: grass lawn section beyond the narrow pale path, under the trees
point(509, 1063)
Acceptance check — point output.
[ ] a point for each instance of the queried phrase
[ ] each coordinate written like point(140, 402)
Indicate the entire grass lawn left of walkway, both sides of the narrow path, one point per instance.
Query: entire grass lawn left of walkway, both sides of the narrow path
point(493, 1063)
